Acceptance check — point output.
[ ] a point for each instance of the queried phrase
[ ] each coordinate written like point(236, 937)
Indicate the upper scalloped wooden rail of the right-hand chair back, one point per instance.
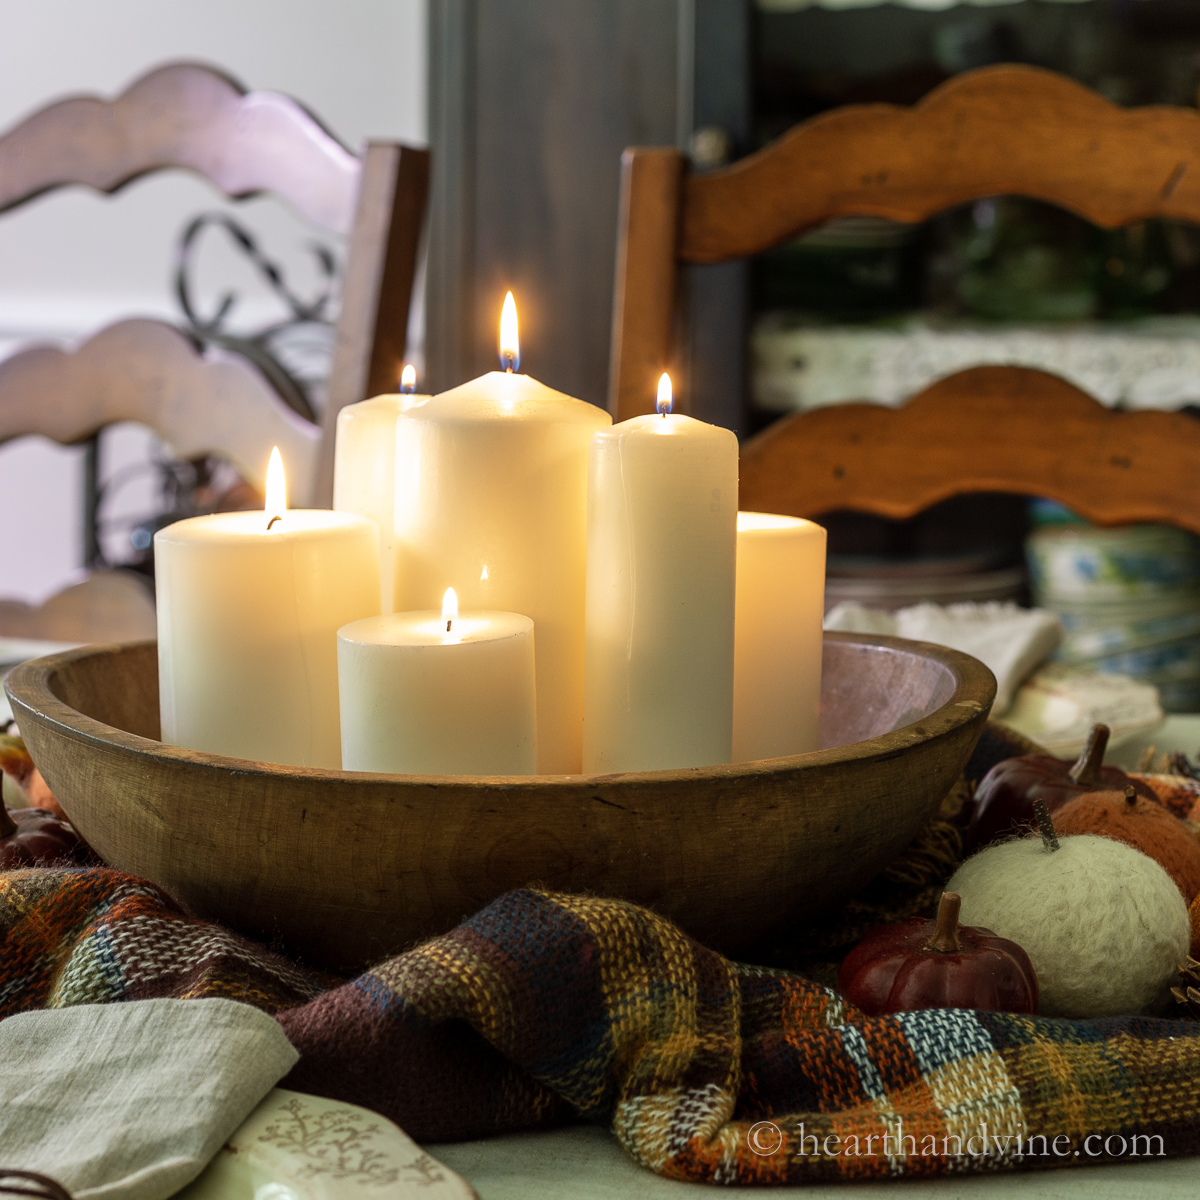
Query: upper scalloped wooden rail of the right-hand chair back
point(1005, 130)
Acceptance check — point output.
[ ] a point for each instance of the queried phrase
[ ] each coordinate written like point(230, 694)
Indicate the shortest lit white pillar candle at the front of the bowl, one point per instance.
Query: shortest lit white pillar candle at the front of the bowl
point(429, 694)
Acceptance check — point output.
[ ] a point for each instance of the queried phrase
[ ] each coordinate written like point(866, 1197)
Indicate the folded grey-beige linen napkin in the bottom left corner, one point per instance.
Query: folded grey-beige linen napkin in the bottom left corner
point(130, 1102)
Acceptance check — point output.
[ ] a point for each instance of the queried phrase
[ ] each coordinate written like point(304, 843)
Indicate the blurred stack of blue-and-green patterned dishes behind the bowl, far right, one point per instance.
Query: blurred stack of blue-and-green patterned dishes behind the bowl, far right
point(1130, 603)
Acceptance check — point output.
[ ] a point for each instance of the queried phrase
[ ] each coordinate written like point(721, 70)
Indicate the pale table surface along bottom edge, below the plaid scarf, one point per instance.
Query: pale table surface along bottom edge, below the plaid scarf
point(587, 1163)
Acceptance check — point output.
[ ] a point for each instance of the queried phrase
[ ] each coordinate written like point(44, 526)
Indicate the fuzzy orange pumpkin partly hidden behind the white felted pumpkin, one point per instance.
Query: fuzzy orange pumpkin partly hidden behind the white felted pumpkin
point(1141, 824)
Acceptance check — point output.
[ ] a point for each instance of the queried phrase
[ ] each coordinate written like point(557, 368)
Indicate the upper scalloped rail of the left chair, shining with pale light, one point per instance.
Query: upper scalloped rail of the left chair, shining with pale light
point(193, 117)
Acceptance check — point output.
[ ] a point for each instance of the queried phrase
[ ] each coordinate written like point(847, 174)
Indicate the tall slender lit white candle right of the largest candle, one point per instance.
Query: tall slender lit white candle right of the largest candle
point(663, 495)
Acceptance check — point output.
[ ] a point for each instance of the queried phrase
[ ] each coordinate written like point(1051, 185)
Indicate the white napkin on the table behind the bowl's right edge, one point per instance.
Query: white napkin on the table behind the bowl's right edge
point(1011, 641)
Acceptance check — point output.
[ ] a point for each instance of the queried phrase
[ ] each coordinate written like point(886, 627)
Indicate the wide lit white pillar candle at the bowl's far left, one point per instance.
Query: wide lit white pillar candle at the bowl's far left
point(249, 613)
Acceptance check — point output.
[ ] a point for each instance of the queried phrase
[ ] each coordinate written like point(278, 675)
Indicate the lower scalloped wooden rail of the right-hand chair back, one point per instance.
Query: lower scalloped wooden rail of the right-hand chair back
point(982, 430)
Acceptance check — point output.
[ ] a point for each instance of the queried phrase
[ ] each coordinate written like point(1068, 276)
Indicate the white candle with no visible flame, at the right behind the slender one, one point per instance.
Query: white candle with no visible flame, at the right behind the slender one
point(778, 637)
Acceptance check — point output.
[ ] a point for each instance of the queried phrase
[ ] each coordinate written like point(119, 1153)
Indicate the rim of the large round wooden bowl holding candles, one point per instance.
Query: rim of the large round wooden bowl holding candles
point(29, 689)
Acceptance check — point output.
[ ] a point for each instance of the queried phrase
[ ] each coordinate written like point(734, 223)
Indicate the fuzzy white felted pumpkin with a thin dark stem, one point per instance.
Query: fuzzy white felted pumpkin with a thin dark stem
point(1105, 927)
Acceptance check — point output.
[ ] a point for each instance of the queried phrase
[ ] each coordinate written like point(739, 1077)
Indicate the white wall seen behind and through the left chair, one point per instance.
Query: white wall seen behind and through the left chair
point(74, 261)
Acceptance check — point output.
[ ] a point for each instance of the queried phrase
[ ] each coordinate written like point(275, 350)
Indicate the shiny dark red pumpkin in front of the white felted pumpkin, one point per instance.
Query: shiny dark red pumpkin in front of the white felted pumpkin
point(925, 964)
